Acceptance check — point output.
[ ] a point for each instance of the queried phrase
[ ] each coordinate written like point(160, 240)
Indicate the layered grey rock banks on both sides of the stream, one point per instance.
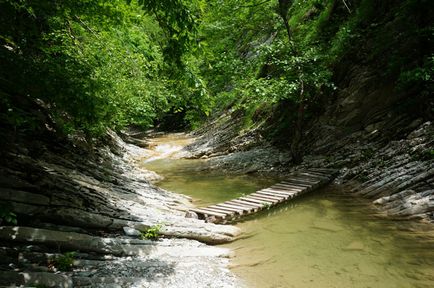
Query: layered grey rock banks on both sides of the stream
point(89, 208)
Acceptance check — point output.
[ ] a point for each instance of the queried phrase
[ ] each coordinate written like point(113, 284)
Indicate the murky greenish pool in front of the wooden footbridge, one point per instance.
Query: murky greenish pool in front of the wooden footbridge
point(319, 242)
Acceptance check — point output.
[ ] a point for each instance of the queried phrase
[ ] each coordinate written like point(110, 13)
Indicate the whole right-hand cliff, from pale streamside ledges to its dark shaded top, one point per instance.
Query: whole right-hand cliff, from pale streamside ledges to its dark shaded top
point(376, 126)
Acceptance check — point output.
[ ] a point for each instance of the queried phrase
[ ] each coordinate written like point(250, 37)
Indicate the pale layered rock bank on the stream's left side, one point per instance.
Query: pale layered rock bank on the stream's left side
point(85, 213)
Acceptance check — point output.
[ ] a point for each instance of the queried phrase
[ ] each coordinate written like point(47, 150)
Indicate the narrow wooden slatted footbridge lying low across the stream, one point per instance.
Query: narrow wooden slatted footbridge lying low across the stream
point(298, 183)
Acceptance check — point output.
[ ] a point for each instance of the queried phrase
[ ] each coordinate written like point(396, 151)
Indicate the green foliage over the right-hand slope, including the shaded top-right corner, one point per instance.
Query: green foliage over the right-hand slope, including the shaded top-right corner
point(249, 60)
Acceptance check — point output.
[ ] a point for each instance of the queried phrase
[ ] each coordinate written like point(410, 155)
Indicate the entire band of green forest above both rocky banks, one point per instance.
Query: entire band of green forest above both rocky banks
point(93, 65)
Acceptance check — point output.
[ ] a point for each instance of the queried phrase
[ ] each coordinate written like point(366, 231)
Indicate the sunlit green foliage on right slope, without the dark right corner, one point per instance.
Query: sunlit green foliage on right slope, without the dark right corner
point(260, 65)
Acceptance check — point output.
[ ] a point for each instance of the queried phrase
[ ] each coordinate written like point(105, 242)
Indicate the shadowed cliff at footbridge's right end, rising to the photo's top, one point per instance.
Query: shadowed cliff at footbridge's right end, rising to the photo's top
point(378, 129)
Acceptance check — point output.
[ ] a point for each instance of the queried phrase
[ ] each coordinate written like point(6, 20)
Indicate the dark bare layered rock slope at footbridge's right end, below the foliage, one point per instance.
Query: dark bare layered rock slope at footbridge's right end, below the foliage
point(380, 139)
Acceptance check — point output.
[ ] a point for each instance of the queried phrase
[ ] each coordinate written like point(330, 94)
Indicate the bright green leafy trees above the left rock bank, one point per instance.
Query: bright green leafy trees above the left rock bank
point(99, 64)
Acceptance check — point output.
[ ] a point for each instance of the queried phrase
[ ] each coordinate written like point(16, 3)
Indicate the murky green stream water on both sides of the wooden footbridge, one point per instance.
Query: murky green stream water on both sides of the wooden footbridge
point(325, 239)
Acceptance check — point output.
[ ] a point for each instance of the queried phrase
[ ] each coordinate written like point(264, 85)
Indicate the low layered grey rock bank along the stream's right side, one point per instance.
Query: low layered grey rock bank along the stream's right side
point(390, 162)
